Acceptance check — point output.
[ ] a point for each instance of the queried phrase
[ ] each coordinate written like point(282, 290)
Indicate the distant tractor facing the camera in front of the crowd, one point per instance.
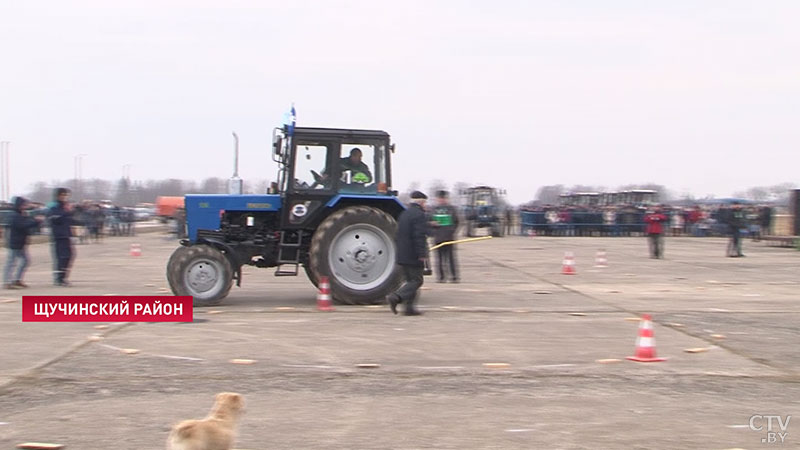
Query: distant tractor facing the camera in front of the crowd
point(484, 207)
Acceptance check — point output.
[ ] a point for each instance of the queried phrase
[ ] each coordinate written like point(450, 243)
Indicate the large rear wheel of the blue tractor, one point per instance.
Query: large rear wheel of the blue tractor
point(355, 248)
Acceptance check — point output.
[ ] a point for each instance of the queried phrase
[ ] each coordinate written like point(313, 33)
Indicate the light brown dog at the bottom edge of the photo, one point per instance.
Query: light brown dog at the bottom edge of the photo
point(215, 432)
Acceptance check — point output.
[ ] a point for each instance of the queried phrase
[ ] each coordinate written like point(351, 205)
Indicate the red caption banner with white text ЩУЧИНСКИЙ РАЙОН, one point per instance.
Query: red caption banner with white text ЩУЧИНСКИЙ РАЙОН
point(120, 308)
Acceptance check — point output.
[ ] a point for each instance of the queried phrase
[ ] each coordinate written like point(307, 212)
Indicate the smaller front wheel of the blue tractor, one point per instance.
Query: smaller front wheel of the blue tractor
point(202, 272)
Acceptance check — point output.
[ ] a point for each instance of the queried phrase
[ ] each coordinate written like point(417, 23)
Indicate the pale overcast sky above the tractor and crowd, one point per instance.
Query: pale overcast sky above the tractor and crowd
point(700, 96)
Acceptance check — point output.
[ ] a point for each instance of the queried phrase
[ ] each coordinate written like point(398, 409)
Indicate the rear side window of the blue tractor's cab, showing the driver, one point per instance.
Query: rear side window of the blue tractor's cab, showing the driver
point(357, 168)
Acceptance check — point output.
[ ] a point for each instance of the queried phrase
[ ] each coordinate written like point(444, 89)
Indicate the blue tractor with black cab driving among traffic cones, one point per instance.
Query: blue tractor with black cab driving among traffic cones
point(332, 212)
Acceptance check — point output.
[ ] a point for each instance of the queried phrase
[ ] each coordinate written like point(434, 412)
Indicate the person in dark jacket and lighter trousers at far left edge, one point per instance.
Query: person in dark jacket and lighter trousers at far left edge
point(19, 228)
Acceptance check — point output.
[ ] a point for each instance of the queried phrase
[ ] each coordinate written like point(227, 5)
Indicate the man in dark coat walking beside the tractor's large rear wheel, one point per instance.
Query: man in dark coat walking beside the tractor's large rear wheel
point(412, 252)
